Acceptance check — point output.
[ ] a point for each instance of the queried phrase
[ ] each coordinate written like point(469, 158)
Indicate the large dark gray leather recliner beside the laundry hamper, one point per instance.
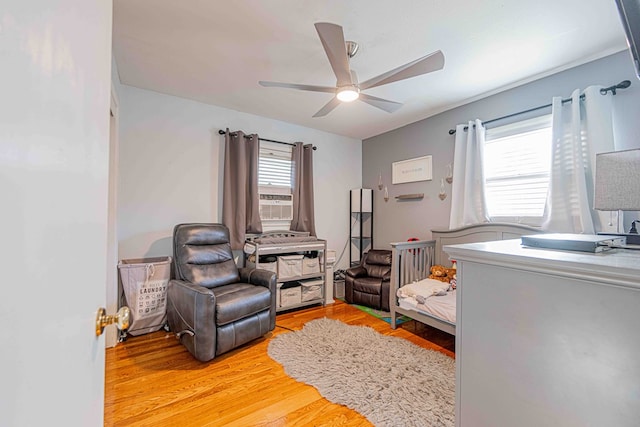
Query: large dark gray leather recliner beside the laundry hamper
point(212, 305)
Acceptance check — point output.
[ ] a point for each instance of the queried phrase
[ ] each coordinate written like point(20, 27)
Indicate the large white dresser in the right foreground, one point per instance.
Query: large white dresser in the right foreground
point(546, 338)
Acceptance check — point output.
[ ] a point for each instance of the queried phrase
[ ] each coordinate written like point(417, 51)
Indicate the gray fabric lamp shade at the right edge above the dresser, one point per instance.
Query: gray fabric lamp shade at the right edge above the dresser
point(618, 181)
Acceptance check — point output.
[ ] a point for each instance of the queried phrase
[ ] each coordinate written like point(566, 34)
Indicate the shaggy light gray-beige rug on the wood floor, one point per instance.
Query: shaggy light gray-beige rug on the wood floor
point(389, 380)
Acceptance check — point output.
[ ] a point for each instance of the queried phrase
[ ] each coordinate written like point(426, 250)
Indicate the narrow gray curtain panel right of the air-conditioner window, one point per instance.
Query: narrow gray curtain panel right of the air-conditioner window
point(302, 178)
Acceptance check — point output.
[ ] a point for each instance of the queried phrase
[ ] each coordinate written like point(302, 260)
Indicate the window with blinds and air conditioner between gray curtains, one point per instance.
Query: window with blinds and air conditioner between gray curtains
point(274, 184)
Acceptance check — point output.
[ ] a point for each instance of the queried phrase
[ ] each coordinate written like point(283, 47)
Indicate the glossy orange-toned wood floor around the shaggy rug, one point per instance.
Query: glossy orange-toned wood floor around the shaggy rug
point(152, 380)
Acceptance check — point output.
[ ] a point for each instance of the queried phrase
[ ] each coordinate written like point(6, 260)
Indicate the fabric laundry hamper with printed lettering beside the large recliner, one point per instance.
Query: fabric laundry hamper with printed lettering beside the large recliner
point(144, 285)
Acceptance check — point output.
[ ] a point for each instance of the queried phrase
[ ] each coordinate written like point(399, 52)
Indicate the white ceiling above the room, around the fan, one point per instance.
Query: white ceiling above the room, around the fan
point(216, 51)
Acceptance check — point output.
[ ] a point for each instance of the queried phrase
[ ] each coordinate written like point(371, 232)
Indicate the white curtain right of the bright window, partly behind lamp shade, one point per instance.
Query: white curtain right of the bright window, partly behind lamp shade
point(580, 130)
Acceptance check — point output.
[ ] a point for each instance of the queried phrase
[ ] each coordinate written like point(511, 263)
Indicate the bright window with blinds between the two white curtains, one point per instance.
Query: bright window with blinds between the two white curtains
point(517, 159)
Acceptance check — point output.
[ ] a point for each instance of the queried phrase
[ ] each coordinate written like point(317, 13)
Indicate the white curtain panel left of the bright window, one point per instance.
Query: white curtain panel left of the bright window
point(468, 203)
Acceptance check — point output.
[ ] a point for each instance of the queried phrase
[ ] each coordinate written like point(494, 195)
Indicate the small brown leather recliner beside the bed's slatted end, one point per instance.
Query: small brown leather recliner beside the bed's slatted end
point(368, 284)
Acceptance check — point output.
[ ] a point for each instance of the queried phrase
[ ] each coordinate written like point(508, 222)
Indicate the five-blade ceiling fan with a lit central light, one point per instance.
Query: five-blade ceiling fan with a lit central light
point(347, 87)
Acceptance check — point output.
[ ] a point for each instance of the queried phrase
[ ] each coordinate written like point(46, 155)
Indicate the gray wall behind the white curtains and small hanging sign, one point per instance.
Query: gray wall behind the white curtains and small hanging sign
point(398, 220)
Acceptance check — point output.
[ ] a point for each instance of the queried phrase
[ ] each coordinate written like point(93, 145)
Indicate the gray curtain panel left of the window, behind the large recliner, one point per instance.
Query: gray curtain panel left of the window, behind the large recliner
point(240, 208)
